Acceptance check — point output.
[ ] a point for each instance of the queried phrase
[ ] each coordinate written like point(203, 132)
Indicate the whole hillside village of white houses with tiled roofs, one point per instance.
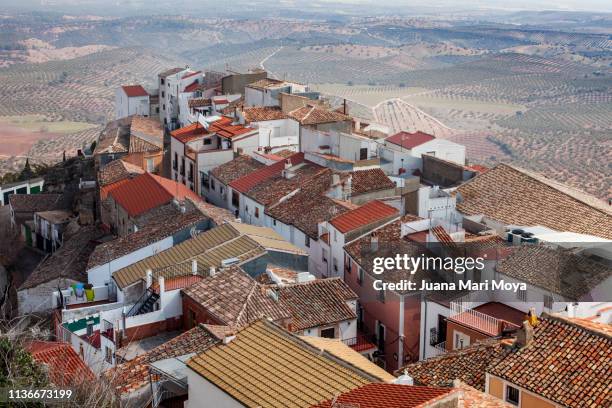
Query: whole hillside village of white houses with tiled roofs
point(217, 248)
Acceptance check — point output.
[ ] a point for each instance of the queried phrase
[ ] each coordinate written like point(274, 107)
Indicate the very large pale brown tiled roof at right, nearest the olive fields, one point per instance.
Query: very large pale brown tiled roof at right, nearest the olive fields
point(515, 196)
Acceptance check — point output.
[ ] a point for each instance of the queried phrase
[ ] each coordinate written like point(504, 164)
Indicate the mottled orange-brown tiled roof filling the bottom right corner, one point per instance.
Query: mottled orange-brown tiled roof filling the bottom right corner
point(567, 362)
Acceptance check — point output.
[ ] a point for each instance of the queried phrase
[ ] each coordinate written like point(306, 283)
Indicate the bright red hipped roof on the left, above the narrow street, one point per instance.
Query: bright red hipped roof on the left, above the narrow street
point(148, 191)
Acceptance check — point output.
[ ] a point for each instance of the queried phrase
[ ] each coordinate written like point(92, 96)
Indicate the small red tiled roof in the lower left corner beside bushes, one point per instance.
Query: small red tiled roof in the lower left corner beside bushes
point(65, 366)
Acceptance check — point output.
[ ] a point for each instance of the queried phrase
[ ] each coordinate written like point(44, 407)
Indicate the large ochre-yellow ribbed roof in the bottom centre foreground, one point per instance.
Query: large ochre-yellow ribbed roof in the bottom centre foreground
point(247, 369)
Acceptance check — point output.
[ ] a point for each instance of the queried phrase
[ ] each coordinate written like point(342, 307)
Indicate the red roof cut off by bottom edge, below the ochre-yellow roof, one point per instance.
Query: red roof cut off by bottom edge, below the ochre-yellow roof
point(381, 395)
